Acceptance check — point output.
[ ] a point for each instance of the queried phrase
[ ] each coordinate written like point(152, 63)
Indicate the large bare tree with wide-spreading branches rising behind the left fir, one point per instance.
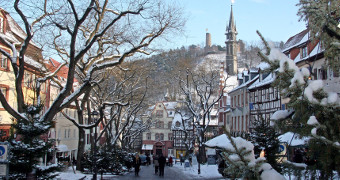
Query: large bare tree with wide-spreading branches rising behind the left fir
point(88, 37)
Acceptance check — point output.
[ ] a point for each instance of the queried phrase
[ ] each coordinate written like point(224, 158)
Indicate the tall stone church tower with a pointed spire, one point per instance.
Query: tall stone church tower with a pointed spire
point(231, 46)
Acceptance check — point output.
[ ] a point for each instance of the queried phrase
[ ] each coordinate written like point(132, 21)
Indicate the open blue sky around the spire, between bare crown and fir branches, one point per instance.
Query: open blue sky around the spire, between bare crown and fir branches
point(277, 20)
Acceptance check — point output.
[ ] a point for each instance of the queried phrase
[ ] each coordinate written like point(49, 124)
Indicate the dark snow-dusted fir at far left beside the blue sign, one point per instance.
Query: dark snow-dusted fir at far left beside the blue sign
point(29, 148)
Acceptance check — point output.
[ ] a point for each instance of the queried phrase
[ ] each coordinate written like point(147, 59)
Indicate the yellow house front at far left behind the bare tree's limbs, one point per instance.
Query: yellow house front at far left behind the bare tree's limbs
point(11, 32)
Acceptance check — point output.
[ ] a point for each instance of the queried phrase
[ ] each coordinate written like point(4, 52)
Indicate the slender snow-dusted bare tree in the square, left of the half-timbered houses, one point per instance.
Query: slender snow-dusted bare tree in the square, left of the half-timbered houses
point(202, 93)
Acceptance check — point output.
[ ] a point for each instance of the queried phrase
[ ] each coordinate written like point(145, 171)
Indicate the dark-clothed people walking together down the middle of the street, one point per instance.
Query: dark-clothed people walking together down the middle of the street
point(159, 162)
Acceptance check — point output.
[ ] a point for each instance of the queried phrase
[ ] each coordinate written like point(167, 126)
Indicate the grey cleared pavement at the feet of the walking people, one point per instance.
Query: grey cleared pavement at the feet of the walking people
point(148, 172)
